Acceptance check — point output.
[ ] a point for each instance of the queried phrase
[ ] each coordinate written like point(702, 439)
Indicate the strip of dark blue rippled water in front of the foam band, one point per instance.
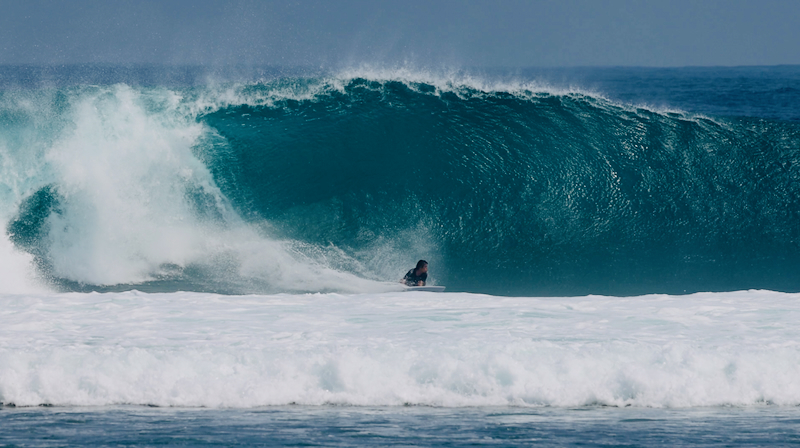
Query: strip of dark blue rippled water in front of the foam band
point(404, 426)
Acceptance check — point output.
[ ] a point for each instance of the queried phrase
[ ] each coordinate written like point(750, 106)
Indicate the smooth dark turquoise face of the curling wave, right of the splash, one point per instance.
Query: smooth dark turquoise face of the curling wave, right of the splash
point(523, 192)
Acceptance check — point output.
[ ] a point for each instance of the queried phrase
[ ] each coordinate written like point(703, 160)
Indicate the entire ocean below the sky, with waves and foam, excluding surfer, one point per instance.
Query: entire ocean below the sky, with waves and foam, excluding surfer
point(210, 257)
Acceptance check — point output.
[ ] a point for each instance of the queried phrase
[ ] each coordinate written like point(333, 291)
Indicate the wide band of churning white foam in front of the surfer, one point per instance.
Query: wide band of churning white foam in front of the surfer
point(720, 349)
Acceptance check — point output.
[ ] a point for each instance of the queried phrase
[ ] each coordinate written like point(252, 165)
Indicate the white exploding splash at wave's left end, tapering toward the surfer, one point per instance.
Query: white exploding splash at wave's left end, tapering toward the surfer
point(124, 169)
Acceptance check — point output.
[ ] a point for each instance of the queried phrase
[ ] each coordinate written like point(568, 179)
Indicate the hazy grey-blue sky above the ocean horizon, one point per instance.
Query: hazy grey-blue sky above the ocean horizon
point(423, 33)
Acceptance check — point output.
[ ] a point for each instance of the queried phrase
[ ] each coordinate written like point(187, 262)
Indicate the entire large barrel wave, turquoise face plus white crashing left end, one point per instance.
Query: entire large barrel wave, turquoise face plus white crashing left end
point(338, 184)
